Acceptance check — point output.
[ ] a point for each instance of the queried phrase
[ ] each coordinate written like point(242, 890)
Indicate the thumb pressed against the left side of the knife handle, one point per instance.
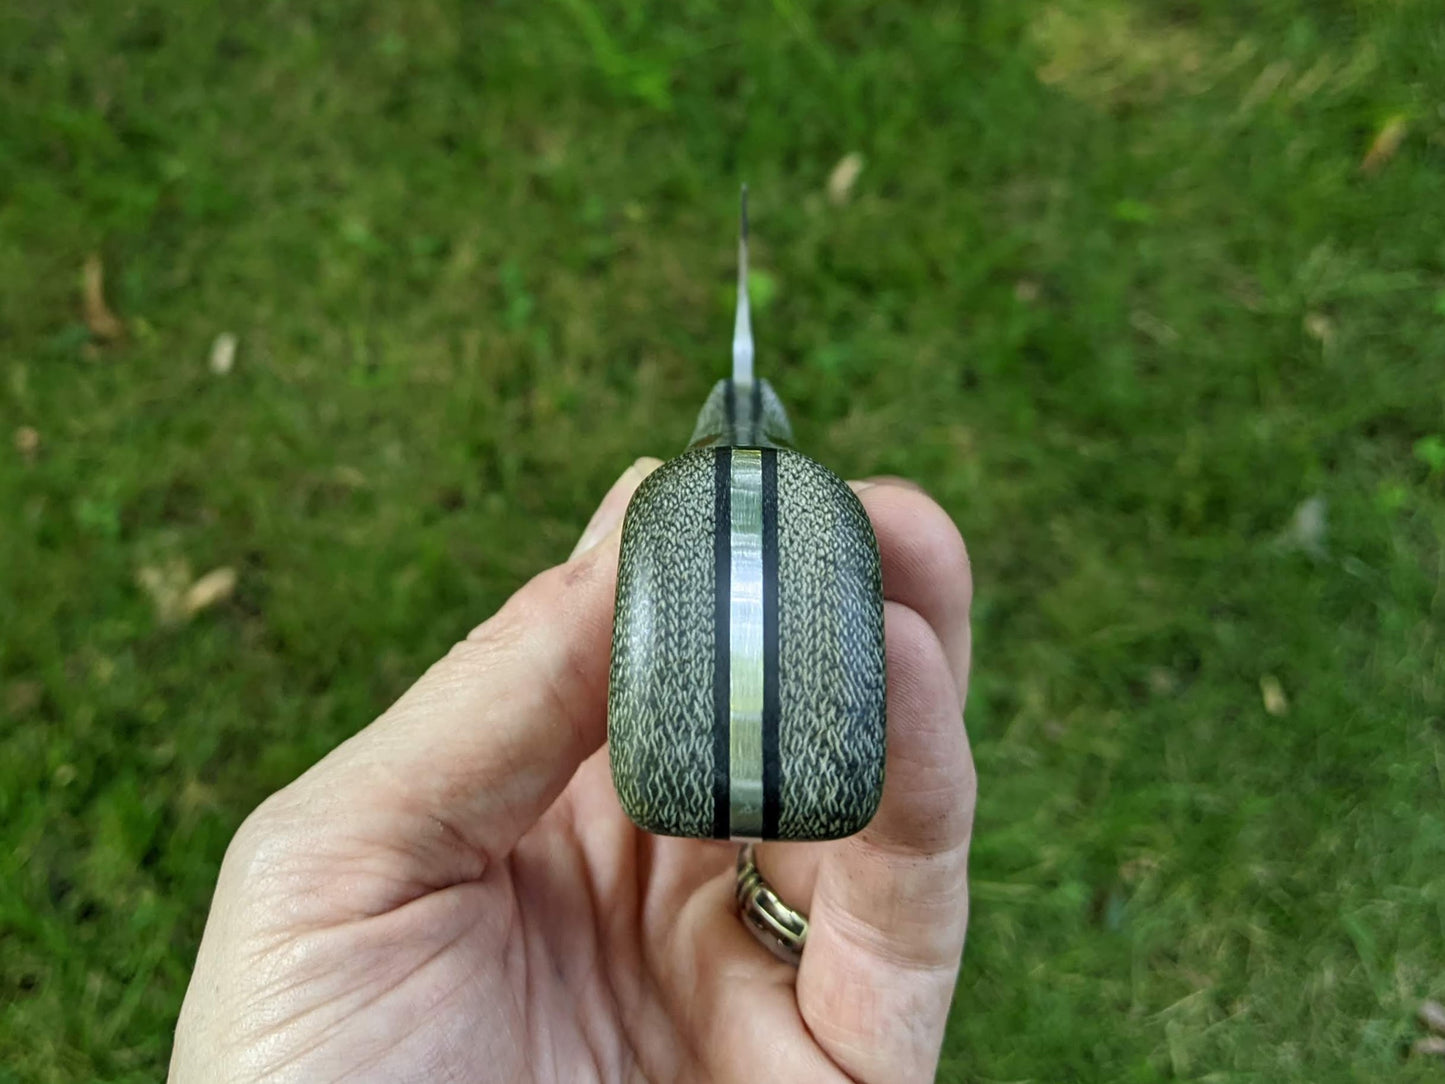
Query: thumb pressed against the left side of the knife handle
point(449, 778)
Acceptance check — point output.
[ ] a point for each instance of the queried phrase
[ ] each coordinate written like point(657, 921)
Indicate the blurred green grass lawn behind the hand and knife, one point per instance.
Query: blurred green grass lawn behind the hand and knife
point(1151, 296)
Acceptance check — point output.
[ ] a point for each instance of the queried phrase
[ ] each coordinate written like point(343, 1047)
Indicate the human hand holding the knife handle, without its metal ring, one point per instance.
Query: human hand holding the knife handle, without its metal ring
point(456, 894)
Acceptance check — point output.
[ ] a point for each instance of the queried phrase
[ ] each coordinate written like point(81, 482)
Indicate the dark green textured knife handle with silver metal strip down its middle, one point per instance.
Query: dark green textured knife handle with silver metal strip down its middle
point(748, 680)
